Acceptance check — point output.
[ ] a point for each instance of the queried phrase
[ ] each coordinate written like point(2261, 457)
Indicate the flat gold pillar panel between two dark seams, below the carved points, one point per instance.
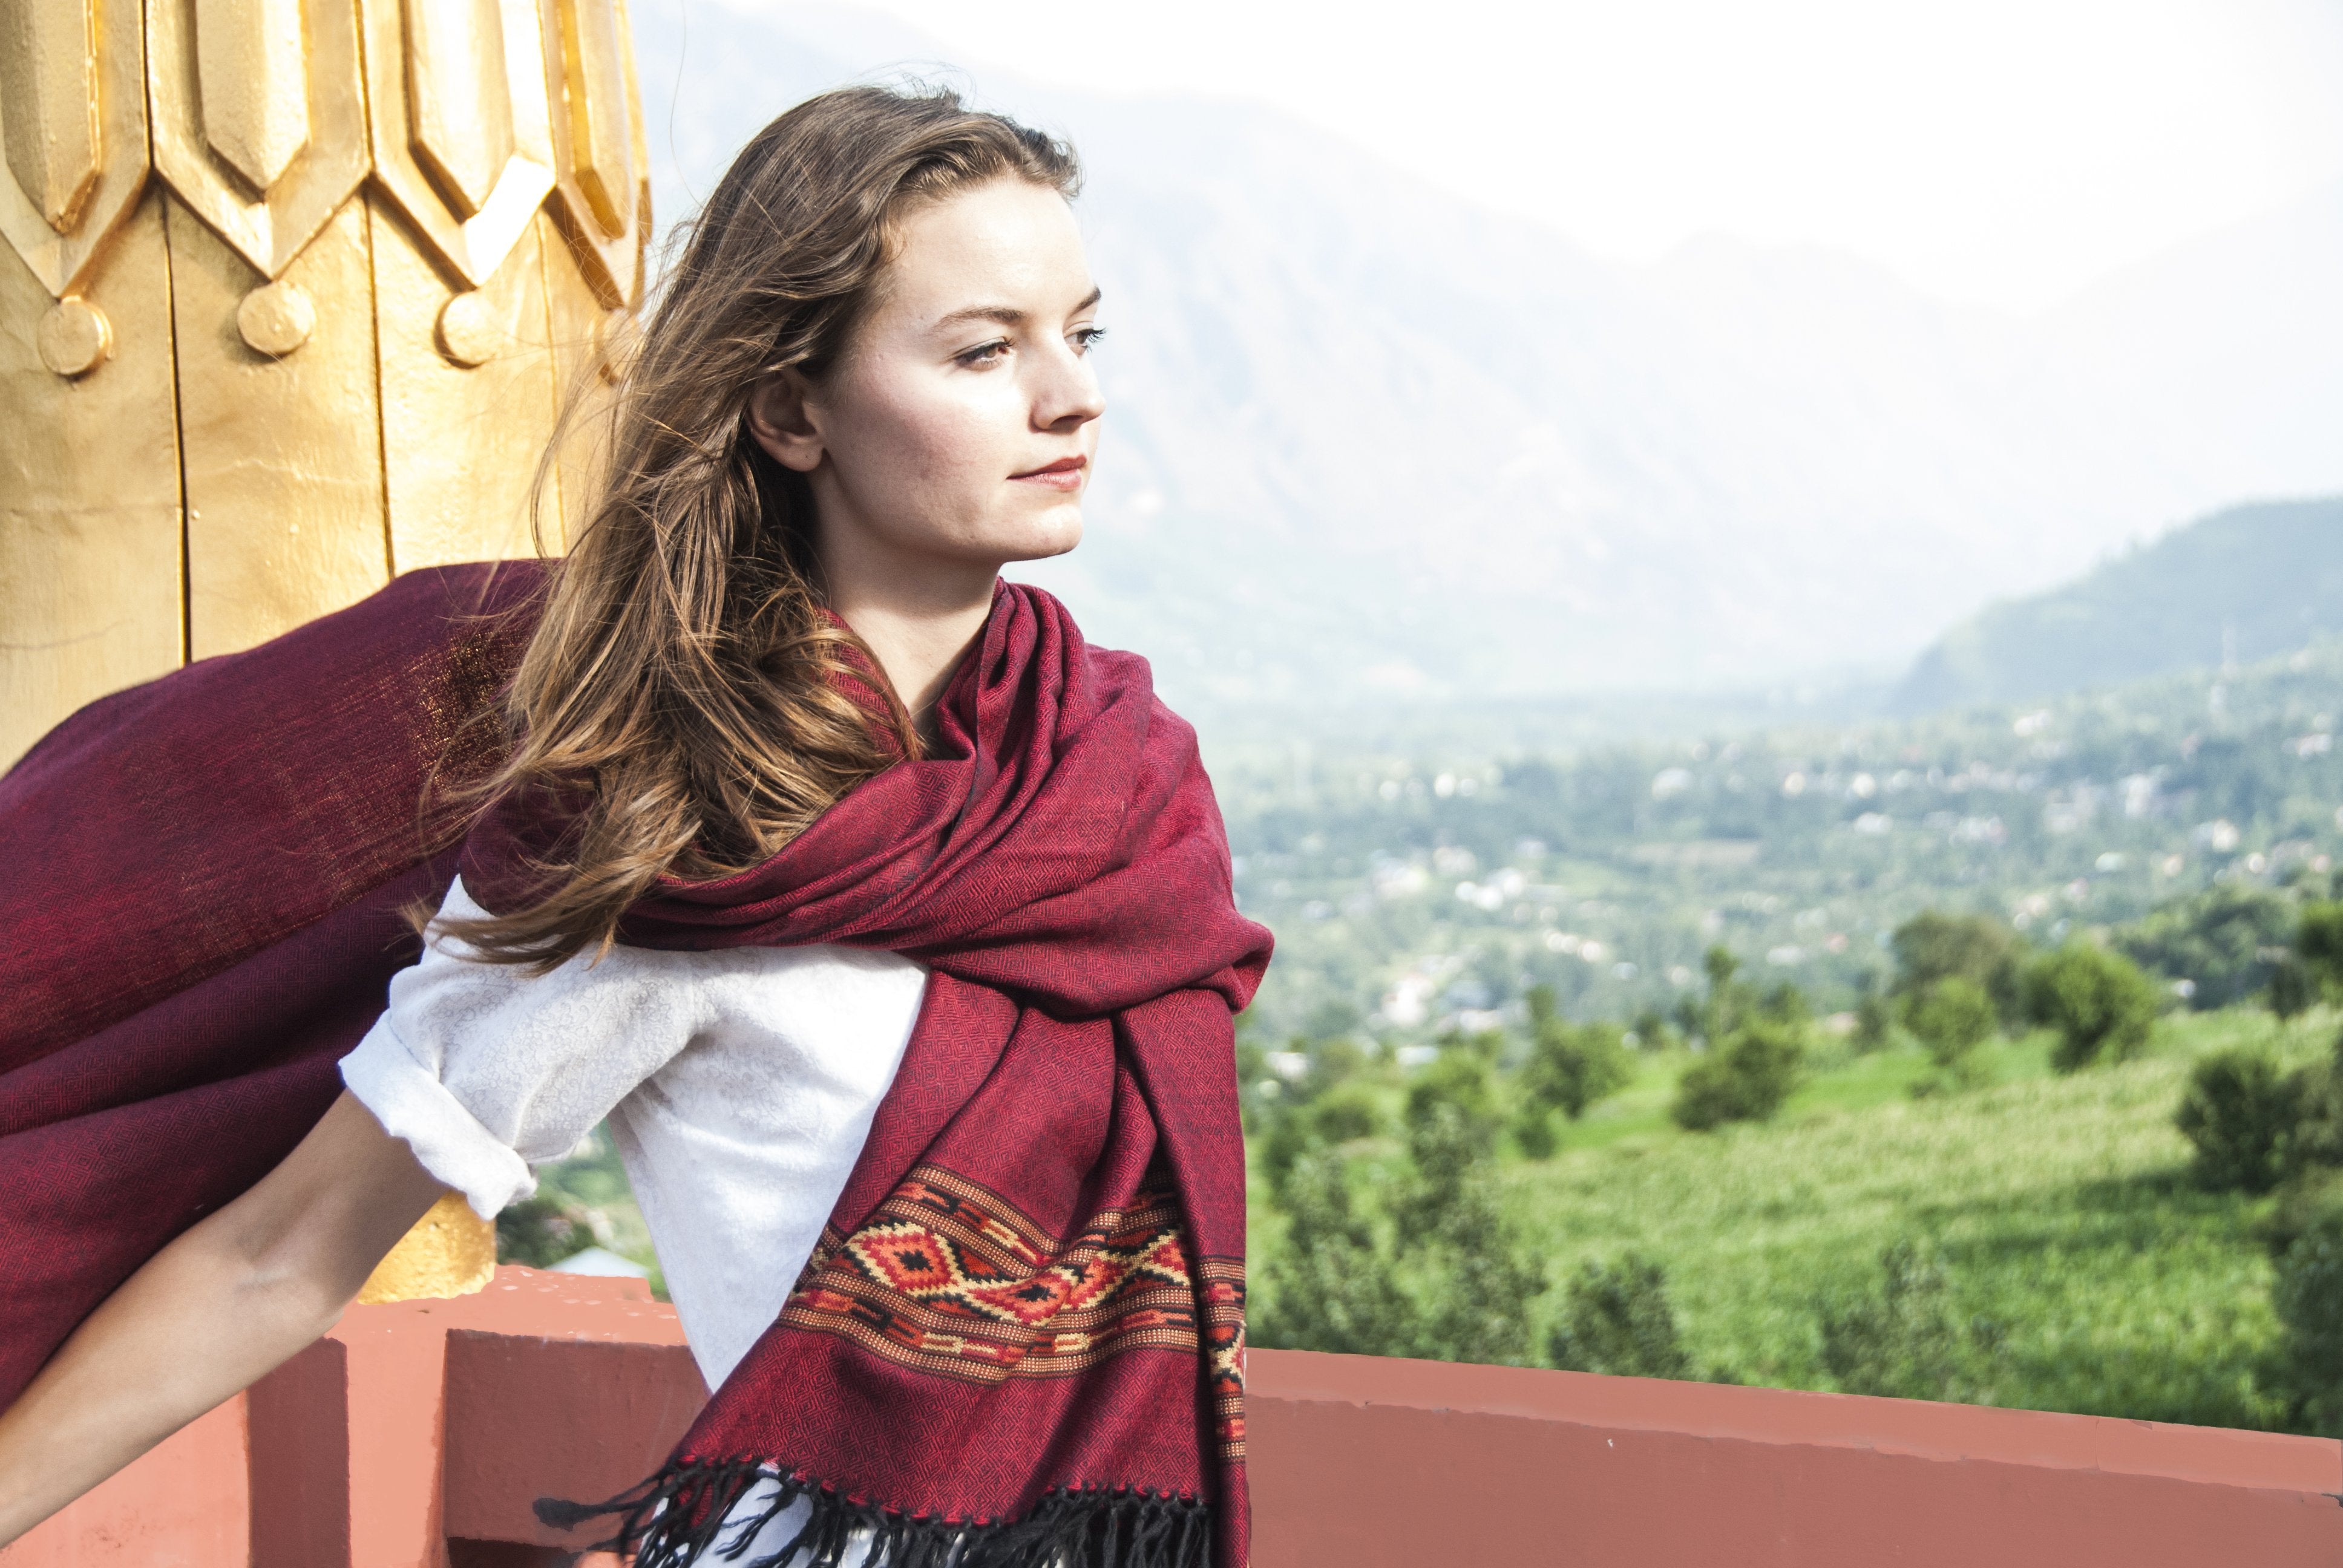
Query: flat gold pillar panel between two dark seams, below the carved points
point(282, 456)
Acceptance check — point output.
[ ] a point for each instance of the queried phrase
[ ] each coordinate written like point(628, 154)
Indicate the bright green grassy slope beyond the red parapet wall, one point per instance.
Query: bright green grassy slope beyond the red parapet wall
point(2061, 1208)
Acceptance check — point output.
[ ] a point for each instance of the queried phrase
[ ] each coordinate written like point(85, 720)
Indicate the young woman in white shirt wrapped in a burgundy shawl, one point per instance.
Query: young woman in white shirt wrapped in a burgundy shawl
point(884, 922)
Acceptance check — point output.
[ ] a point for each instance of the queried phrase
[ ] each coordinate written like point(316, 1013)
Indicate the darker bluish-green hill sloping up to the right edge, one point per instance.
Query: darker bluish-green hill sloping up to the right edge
point(2236, 587)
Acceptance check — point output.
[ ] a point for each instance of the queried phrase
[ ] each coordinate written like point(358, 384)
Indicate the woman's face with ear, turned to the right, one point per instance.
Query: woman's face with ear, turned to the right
point(959, 428)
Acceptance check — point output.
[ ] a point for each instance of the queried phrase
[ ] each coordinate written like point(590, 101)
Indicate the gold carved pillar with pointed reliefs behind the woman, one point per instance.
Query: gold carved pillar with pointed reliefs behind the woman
point(292, 296)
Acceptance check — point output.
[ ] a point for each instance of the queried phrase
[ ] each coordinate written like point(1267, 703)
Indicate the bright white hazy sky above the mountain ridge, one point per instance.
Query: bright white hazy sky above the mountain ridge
point(1997, 151)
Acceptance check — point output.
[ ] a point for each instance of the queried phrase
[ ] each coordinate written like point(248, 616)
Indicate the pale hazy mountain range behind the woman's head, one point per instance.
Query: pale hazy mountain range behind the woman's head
point(1372, 444)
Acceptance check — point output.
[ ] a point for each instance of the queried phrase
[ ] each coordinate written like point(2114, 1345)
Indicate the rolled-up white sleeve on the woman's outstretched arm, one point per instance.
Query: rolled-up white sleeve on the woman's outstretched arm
point(486, 1068)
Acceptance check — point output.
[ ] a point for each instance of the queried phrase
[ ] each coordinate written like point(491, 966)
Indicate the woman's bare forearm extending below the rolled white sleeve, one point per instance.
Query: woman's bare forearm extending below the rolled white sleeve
point(214, 1311)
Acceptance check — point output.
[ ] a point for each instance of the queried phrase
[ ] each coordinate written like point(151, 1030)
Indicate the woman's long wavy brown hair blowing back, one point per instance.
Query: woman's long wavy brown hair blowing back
point(683, 688)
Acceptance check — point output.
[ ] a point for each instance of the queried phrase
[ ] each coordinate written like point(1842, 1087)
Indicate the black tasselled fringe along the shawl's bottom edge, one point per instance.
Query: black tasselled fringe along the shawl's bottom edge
point(676, 1522)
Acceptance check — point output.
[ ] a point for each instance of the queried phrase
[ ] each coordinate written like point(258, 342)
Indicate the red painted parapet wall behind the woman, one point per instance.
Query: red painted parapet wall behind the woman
point(421, 1433)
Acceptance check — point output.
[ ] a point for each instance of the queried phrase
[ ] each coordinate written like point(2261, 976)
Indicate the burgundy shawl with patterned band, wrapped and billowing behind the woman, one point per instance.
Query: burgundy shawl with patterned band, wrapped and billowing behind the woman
point(1023, 1337)
